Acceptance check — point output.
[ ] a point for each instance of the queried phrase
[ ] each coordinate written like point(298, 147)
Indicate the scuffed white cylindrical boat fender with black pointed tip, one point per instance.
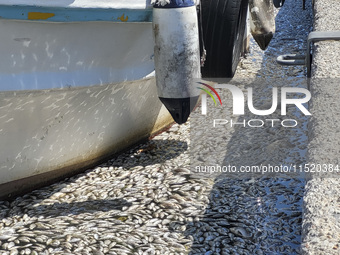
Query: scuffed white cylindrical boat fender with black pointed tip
point(177, 56)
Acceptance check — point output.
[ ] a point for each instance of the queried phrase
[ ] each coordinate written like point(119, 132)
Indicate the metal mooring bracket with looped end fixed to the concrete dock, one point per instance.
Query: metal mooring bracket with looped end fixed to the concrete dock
point(316, 36)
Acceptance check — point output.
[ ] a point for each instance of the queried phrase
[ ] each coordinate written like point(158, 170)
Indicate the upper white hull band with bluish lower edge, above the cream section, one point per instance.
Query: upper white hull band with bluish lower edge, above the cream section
point(45, 55)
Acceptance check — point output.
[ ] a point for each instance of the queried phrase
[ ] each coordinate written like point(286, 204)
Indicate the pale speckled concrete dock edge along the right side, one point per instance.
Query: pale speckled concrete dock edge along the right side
point(321, 220)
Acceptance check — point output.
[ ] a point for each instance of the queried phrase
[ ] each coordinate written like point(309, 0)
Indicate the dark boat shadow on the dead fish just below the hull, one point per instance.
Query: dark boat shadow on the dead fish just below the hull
point(149, 153)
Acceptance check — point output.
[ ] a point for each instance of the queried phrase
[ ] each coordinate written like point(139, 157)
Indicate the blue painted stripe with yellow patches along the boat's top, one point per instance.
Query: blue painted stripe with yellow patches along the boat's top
point(74, 14)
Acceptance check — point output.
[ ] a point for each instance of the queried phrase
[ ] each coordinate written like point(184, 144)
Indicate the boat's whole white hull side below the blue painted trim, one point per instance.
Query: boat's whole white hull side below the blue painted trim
point(72, 94)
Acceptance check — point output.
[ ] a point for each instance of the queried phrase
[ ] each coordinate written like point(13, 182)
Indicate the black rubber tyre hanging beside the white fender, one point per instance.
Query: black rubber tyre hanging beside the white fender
point(223, 24)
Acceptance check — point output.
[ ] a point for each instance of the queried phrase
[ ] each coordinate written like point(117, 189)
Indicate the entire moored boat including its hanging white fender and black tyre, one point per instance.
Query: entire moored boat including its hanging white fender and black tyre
point(77, 79)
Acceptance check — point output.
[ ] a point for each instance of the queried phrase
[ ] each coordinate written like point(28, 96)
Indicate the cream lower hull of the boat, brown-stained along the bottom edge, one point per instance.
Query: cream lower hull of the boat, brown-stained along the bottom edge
point(46, 134)
